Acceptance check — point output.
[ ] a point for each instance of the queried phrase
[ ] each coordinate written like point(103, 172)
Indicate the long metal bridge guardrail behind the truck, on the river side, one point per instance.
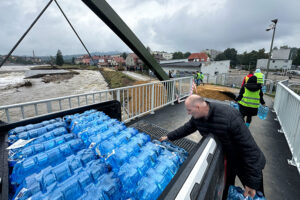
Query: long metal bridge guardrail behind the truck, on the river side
point(135, 100)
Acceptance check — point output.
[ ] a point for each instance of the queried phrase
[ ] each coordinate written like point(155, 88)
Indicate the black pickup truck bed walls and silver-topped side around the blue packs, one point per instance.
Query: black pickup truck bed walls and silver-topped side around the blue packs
point(205, 155)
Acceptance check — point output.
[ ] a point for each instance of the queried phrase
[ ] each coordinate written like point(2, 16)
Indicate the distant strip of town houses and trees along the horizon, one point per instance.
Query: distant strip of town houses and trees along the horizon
point(283, 58)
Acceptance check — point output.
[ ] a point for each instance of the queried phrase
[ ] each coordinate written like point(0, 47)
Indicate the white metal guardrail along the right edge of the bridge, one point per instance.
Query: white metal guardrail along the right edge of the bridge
point(287, 108)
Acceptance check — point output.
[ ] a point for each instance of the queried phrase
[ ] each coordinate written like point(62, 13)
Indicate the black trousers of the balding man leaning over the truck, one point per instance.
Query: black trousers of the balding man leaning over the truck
point(232, 172)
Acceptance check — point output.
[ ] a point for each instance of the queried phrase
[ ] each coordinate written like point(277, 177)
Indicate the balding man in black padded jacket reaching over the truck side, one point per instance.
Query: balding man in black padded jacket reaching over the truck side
point(244, 158)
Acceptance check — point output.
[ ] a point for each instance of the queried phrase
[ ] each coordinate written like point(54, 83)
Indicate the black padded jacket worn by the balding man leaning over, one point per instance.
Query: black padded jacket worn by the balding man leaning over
point(239, 146)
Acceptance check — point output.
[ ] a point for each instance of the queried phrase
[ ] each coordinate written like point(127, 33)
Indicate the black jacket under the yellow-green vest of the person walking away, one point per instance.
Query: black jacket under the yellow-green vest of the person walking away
point(253, 86)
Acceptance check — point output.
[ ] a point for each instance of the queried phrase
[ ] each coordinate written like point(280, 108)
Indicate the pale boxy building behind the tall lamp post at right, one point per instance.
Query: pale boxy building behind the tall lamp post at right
point(280, 59)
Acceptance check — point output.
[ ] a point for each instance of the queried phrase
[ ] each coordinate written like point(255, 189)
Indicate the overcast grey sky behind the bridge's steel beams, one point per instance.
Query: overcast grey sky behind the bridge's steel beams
point(169, 25)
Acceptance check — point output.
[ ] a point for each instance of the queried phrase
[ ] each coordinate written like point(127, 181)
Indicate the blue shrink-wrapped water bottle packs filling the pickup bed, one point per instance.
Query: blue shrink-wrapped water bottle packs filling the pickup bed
point(89, 156)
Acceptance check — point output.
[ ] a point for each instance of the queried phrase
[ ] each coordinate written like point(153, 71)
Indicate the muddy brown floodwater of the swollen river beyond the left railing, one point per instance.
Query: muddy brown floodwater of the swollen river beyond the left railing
point(86, 81)
